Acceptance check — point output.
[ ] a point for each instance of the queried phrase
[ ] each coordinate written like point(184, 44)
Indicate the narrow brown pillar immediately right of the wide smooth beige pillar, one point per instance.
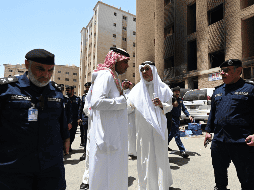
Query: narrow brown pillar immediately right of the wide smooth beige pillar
point(159, 37)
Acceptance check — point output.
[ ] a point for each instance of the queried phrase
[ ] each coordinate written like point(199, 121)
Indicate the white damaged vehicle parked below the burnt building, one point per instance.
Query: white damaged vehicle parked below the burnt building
point(198, 103)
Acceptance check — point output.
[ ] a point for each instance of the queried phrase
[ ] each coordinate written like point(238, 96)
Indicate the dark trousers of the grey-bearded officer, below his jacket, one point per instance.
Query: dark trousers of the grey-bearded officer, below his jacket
point(51, 179)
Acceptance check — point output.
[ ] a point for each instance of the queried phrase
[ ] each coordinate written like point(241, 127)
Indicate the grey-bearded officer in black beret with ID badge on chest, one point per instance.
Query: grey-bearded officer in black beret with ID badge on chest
point(33, 128)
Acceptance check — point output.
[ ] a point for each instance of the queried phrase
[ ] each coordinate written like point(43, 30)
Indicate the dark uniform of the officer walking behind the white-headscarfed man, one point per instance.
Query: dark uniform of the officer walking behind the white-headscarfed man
point(174, 132)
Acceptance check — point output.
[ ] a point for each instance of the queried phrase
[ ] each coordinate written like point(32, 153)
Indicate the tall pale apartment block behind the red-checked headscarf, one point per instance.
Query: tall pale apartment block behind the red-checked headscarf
point(109, 27)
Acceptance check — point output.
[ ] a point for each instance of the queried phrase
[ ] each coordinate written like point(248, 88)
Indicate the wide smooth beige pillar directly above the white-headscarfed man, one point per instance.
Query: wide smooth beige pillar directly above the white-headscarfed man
point(145, 49)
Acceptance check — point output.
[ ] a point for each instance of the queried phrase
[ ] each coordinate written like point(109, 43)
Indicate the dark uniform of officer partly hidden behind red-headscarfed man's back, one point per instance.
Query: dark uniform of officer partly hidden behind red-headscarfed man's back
point(84, 122)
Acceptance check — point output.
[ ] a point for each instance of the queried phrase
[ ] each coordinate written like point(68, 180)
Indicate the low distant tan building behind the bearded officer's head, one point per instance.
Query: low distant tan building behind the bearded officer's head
point(63, 74)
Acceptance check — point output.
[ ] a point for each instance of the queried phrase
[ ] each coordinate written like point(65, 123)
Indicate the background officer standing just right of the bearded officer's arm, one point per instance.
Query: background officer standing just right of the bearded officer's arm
point(75, 102)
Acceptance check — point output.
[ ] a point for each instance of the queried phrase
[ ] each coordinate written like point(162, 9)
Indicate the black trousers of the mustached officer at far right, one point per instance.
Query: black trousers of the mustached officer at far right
point(241, 155)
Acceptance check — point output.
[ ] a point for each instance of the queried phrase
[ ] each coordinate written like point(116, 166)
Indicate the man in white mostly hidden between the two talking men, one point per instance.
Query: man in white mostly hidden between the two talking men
point(132, 152)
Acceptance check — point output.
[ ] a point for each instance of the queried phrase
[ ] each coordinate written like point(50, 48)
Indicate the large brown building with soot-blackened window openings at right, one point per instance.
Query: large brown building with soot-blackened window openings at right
point(189, 39)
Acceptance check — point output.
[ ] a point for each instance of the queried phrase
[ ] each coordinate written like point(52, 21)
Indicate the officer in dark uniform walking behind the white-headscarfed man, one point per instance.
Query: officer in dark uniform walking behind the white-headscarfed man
point(176, 113)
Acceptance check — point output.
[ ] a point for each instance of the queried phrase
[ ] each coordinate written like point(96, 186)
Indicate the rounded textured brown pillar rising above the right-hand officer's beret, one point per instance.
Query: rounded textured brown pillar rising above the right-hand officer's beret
point(233, 30)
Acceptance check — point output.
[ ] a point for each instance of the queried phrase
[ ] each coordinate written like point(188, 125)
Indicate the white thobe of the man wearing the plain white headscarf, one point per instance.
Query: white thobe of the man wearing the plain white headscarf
point(152, 152)
